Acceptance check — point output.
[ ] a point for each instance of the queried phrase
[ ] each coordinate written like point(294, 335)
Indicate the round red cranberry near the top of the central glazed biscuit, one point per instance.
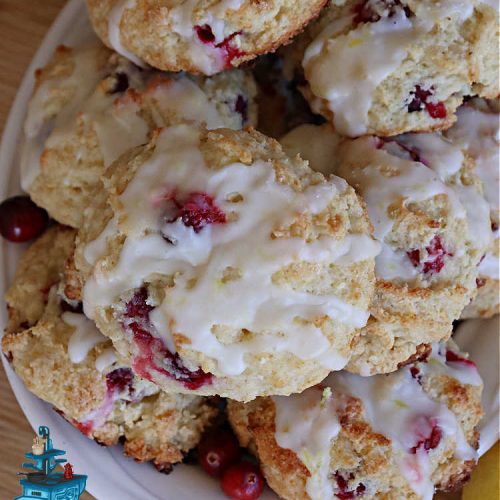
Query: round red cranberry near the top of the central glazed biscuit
point(197, 210)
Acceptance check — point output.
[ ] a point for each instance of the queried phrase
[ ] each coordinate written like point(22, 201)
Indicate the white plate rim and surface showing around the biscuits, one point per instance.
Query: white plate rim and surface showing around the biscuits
point(110, 475)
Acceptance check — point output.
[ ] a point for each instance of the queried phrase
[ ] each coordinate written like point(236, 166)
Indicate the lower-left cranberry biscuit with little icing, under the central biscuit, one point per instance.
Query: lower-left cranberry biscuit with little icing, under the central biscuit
point(63, 359)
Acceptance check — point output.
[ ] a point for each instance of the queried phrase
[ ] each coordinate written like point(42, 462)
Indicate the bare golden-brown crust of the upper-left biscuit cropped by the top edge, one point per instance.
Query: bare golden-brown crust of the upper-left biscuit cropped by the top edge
point(148, 31)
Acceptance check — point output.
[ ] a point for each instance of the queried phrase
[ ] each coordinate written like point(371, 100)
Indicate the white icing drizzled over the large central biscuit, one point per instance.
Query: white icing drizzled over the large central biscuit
point(251, 301)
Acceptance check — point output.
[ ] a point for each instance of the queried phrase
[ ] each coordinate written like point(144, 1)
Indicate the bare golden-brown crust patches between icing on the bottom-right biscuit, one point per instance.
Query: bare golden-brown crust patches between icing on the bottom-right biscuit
point(358, 450)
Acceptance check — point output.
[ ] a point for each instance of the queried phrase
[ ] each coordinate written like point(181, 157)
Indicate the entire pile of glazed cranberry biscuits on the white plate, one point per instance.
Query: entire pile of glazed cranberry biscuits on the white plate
point(311, 274)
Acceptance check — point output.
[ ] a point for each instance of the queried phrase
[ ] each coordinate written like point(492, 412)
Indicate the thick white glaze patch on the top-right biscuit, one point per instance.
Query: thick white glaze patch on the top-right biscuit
point(367, 56)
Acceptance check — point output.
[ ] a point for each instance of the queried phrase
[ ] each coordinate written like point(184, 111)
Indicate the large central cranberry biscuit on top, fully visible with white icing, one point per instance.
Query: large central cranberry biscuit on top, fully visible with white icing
point(225, 267)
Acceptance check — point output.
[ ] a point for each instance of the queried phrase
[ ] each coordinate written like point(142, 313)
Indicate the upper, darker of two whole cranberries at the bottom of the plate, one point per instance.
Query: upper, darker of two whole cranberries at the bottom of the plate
point(217, 451)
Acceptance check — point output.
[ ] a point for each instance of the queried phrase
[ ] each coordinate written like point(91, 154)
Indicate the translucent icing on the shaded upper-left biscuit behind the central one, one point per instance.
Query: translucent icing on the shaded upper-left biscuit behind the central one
point(119, 122)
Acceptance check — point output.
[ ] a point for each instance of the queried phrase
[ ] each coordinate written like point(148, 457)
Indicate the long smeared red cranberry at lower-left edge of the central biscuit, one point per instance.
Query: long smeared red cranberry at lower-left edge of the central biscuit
point(151, 348)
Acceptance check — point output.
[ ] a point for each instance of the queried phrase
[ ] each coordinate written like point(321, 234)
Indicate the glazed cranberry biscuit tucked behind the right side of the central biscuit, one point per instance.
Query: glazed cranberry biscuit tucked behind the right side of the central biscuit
point(425, 202)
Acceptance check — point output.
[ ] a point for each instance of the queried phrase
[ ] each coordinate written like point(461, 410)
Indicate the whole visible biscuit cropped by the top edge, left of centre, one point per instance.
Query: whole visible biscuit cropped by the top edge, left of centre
point(198, 36)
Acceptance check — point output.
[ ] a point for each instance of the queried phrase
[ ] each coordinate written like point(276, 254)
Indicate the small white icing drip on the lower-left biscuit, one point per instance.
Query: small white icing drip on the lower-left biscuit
point(84, 338)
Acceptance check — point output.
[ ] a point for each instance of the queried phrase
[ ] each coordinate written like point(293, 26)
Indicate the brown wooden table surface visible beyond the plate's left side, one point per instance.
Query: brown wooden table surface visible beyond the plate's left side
point(23, 24)
